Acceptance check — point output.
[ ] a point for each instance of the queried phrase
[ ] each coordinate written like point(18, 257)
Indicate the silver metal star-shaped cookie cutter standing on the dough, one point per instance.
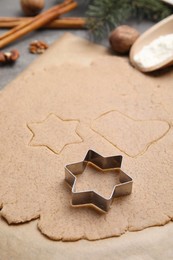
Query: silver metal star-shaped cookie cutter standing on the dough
point(104, 164)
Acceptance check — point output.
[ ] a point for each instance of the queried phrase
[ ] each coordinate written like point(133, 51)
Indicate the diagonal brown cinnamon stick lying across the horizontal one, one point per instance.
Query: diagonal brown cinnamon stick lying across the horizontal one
point(37, 22)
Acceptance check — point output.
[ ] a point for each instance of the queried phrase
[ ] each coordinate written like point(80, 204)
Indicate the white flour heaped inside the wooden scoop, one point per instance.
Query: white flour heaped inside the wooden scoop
point(155, 52)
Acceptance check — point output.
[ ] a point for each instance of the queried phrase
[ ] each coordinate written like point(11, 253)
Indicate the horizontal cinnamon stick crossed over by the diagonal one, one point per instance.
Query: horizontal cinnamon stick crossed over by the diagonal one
point(60, 23)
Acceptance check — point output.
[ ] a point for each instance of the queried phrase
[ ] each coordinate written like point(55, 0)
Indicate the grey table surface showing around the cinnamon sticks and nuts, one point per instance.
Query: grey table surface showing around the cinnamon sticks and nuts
point(12, 8)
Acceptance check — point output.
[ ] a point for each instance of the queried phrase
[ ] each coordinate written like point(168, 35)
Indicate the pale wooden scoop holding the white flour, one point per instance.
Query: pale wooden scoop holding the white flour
point(162, 28)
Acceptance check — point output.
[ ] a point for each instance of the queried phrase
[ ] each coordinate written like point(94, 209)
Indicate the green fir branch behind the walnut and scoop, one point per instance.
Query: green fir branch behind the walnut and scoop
point(104, 15)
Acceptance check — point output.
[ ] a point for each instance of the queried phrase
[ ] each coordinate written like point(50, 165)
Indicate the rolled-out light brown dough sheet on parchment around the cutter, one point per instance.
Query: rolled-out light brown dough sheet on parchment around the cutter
point(81, 96)
